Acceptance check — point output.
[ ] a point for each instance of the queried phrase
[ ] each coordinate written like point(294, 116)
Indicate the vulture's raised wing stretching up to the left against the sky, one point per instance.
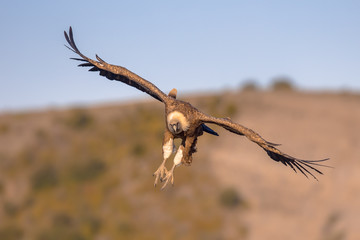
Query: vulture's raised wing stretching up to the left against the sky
point(113, 72)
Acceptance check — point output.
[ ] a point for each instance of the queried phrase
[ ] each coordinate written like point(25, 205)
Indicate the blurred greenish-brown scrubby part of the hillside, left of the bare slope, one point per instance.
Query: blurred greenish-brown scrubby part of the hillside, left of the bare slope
point(87, 174)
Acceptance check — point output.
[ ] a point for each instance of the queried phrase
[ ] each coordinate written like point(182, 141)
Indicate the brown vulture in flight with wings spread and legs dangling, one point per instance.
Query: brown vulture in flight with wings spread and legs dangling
point(187, 123)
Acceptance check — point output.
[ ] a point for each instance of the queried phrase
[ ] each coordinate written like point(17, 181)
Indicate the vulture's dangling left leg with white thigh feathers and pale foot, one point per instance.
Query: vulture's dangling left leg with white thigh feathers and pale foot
point(168, 149)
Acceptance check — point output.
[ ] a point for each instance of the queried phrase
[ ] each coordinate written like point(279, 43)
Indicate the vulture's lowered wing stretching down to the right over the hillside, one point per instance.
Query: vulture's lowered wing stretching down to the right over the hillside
point(304, 166)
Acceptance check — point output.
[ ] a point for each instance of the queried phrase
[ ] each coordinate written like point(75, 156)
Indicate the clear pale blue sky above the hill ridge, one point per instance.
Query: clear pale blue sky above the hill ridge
point(190, 45)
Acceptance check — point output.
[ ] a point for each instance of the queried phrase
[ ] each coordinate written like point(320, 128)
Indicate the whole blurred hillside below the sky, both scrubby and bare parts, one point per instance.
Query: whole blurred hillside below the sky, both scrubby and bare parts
point(86, 172)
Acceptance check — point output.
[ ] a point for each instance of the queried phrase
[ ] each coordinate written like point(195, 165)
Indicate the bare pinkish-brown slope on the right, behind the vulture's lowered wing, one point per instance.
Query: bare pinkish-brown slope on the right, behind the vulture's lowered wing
point(285, 205)
